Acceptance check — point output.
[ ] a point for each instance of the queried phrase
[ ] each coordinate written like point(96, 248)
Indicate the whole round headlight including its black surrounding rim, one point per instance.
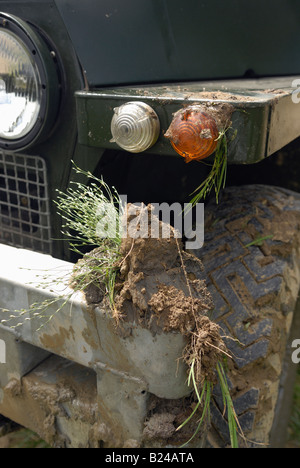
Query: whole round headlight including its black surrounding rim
point(29, 85)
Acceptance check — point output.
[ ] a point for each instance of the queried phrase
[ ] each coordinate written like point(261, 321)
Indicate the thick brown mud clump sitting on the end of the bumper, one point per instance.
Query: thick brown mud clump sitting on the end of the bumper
point(154, 290)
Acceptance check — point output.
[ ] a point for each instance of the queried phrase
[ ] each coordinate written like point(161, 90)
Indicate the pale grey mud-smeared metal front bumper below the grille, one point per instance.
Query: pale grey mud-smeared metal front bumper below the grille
point(77, 375)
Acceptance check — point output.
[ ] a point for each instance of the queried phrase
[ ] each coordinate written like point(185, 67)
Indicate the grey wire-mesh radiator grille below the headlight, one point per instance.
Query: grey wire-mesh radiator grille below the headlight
point(24, 203)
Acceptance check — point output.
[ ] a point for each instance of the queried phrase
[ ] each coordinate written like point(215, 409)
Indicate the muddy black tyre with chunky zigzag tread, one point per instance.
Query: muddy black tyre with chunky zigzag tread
point(252, 266)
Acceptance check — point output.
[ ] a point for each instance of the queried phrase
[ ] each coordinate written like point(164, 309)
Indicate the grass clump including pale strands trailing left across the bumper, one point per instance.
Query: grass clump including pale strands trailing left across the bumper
point(91, 217)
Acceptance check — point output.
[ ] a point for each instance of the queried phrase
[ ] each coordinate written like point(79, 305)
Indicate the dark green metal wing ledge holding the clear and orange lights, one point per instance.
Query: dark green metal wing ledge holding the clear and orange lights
point(265, 118)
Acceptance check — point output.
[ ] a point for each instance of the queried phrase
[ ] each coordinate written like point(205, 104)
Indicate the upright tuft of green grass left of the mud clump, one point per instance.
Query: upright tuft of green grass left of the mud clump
point(92, 217)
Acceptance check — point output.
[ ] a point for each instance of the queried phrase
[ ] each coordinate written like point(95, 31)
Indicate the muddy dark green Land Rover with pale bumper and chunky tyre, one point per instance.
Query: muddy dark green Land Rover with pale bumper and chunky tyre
point(138, 92)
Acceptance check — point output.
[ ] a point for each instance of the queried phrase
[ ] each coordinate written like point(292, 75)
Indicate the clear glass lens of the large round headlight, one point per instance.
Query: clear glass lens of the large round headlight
point(20, 90)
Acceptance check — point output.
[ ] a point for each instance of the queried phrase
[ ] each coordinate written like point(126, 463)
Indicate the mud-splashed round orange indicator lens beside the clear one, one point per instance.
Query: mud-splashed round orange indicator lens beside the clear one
point(193, 133)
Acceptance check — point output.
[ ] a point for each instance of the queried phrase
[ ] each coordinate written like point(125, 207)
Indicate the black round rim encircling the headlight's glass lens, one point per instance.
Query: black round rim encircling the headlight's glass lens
point(45, 60)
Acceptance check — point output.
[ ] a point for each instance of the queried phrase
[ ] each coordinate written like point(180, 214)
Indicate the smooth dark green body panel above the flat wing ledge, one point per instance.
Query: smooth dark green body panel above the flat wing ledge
point(154, 41)
